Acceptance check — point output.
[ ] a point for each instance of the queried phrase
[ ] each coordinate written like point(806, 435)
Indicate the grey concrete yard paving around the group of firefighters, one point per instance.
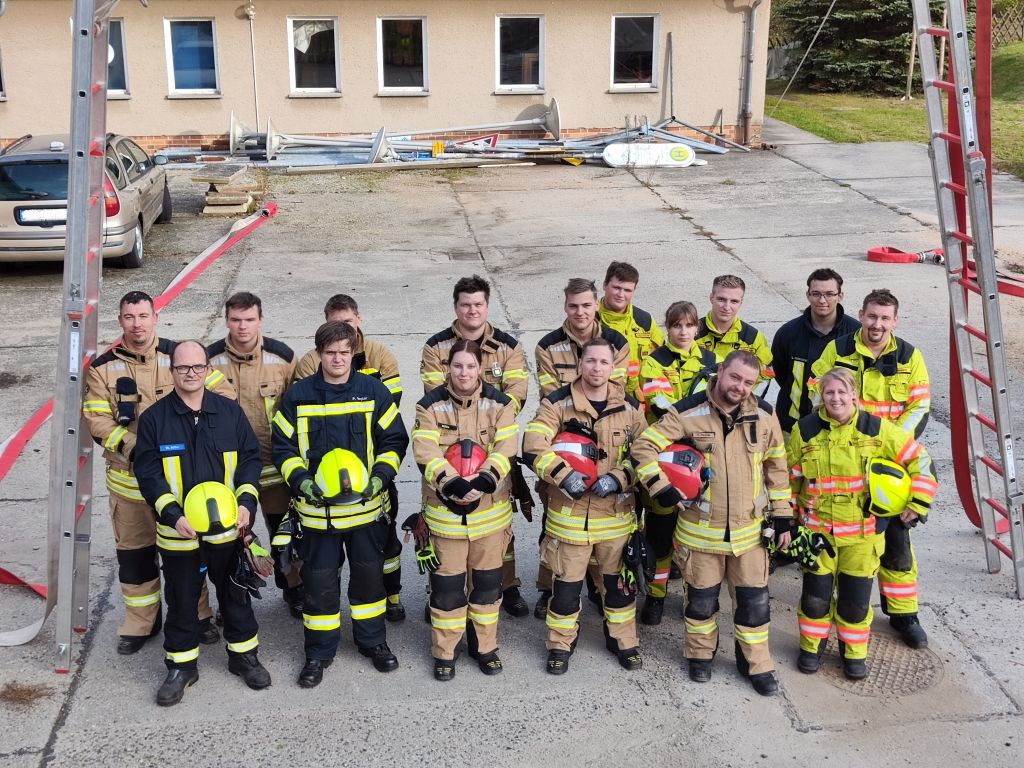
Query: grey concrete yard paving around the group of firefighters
point(398, 242)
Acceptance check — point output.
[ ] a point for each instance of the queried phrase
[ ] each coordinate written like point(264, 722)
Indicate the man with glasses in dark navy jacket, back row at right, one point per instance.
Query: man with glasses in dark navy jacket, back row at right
point(800, 343)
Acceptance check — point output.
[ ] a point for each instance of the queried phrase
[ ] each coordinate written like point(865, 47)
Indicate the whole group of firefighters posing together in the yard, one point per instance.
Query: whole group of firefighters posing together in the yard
point(655, 454)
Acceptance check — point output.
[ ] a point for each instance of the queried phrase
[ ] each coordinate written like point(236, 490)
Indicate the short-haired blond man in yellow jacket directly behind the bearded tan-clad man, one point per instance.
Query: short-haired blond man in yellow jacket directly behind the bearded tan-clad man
point(722, 332)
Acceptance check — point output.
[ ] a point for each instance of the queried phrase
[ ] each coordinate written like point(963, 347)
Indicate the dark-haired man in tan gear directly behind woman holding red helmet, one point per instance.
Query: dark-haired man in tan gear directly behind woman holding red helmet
point(504, 368)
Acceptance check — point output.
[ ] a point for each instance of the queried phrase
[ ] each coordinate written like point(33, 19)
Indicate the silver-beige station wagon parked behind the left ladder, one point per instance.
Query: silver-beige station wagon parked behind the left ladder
point(34, 199)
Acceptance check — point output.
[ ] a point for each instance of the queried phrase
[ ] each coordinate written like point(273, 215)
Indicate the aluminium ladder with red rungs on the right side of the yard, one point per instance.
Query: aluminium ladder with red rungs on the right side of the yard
point(961, 187)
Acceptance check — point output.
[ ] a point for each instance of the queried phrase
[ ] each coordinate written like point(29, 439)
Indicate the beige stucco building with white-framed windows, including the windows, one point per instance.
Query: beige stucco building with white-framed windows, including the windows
point(180, 68)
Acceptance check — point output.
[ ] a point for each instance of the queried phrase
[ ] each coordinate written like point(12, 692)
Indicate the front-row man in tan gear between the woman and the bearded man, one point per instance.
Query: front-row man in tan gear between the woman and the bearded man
point(588, 517)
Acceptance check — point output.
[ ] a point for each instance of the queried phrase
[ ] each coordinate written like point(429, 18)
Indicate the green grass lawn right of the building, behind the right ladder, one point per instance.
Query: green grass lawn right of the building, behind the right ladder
point(858, 118)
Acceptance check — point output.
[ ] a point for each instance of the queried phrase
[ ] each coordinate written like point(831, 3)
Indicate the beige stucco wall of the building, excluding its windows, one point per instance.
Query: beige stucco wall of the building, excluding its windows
point(708, 37)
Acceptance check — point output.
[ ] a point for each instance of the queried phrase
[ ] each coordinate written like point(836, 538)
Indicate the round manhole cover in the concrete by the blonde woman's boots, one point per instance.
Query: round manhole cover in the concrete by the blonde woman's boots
point(893, 669)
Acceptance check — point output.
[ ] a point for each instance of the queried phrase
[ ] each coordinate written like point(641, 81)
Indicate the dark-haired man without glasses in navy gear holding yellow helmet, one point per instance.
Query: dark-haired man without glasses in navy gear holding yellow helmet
point(339, 409)
